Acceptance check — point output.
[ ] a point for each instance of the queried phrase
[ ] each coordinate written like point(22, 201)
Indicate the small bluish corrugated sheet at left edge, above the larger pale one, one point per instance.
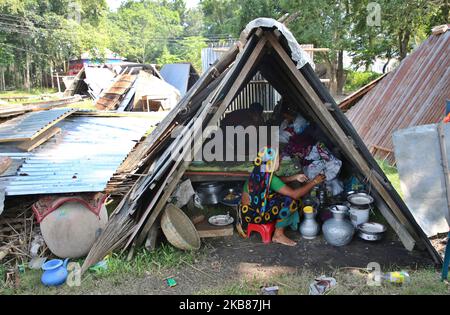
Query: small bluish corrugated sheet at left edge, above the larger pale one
point(30, 125)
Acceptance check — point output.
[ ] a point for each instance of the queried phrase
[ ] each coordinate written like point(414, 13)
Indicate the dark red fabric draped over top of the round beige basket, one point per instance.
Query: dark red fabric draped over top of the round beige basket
point(48, 204)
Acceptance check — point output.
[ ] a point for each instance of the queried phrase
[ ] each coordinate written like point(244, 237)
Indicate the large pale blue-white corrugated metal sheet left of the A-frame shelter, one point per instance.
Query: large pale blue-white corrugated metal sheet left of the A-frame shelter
point(82, 158)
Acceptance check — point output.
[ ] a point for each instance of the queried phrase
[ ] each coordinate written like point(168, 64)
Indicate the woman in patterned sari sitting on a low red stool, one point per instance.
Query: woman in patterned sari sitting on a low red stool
point(267, 198)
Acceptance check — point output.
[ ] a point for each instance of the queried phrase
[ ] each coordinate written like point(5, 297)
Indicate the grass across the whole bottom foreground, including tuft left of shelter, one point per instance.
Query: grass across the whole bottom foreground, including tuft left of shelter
point(150, 270)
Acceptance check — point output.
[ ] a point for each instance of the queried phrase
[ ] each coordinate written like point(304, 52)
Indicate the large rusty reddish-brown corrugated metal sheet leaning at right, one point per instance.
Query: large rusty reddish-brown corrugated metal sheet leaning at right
point(414, 94)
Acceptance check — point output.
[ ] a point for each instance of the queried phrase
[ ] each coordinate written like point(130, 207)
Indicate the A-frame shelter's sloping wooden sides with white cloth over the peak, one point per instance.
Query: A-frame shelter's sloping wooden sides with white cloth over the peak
point(269, 47)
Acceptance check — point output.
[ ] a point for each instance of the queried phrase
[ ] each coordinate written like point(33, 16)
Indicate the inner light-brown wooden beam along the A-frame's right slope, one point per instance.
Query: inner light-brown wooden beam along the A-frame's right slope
point(344, 142)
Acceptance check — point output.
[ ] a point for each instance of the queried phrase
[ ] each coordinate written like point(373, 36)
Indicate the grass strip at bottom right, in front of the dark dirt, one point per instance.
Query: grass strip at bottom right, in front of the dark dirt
point(349, 282)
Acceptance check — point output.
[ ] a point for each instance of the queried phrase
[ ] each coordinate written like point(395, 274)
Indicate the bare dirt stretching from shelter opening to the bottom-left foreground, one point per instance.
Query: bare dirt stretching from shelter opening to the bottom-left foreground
point(236, 259)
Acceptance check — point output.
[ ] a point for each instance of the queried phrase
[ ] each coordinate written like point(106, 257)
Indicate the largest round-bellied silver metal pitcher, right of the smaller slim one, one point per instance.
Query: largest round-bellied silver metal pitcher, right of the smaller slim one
point(338, 231)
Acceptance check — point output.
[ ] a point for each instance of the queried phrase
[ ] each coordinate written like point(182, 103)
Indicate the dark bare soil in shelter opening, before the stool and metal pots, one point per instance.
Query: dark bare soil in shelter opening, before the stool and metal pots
point(316, 254)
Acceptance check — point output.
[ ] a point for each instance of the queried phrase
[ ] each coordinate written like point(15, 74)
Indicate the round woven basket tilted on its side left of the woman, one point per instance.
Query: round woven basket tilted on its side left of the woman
point(179, 230)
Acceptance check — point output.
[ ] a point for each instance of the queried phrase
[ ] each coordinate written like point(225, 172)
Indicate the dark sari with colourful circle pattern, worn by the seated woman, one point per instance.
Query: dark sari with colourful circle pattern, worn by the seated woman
point(267, 206)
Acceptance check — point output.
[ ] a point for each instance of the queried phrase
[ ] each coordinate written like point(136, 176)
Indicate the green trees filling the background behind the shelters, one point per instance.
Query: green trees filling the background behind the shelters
point(39, 35)
